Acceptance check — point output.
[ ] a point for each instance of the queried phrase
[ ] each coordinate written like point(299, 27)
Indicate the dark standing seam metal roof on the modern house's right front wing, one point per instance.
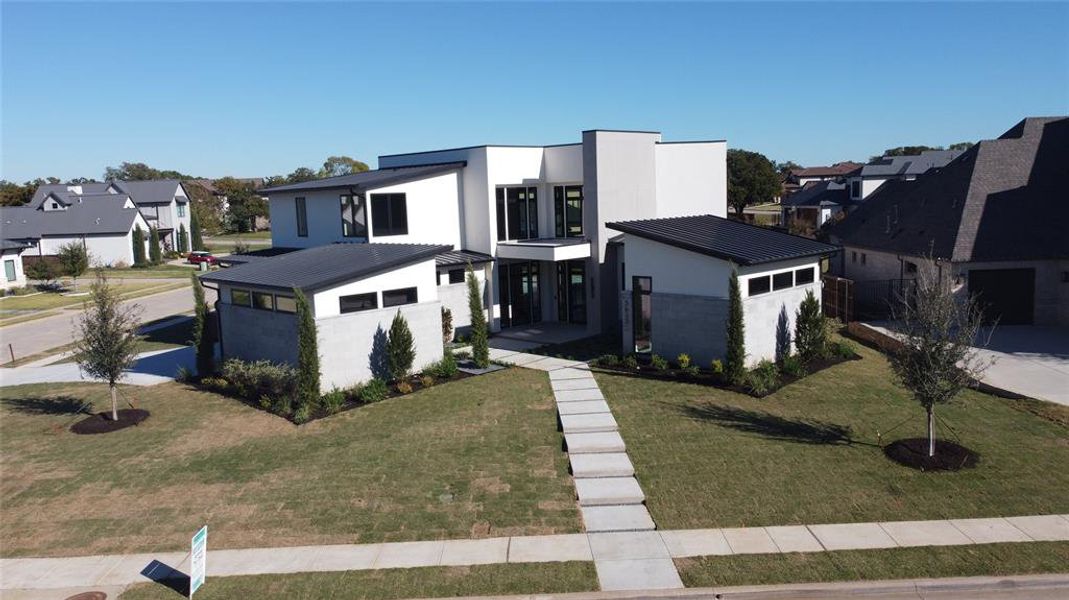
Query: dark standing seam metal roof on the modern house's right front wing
point(725, 239)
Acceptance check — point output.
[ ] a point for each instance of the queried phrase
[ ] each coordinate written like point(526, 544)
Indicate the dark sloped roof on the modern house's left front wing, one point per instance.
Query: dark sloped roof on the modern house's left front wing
point(323, 267)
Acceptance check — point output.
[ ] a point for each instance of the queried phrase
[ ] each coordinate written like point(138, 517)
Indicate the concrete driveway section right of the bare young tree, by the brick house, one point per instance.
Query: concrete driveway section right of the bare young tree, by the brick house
point(1031, 361)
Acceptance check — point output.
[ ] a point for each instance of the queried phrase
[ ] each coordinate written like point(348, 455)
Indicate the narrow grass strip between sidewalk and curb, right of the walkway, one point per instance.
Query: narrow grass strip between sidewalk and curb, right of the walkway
point(900, 563)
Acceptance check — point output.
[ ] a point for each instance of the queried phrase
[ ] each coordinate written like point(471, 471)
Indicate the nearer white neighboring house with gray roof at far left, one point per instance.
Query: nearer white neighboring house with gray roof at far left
point(104, 224)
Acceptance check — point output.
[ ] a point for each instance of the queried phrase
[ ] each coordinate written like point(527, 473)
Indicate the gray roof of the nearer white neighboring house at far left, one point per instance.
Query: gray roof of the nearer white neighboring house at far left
point(102, 216)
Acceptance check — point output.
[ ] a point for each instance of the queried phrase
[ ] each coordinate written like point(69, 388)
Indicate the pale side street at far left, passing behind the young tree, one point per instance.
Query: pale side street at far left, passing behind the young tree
point(40, 335)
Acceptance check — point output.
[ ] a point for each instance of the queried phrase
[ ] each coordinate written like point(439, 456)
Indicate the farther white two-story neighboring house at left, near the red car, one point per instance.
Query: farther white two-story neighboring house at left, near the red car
point(164, 204)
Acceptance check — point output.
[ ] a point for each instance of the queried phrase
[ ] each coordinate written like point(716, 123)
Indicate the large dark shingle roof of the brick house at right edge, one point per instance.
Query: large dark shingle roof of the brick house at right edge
point(1003, 199)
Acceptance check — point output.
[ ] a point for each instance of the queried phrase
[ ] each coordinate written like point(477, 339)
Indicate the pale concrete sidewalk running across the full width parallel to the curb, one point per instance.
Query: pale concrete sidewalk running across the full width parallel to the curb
point(615, 549)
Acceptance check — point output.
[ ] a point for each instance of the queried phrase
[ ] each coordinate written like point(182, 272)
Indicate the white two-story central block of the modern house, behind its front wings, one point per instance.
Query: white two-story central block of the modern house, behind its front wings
point(535, 214)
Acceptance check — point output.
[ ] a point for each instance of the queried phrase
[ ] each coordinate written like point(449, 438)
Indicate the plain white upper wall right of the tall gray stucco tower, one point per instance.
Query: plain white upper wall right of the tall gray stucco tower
point(692, 179)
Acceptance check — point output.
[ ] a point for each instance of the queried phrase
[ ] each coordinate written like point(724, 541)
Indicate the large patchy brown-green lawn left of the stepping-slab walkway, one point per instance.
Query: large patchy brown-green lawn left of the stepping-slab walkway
point(475, 458)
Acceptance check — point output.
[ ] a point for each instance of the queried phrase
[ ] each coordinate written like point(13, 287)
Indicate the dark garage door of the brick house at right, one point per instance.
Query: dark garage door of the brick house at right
point(1006, 295)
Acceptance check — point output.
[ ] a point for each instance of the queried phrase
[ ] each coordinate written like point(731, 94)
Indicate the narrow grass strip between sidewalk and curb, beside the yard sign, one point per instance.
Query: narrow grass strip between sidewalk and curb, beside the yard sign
point(433, 582)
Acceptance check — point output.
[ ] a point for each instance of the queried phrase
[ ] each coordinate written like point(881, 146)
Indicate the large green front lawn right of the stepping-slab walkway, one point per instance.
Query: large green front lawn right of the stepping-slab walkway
point(809, 454)
